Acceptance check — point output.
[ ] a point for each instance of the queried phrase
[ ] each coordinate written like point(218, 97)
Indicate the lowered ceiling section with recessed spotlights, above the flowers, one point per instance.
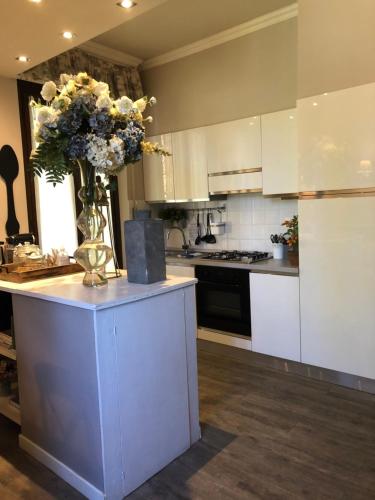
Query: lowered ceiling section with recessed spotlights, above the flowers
point(35, 30)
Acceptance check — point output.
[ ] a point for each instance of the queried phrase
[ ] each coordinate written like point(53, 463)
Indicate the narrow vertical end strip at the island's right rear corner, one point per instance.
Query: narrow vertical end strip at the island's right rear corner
point(192, 362)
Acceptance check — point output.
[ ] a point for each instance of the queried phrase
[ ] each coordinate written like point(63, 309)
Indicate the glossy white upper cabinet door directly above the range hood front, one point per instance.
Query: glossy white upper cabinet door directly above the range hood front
point(234, 145)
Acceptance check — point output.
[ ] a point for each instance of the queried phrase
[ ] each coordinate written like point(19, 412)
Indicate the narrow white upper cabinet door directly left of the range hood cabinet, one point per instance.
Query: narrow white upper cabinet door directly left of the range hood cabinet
point(190, 165)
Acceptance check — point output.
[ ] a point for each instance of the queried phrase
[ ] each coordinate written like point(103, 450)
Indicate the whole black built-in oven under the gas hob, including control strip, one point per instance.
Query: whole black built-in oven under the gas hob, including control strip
point(223, 299)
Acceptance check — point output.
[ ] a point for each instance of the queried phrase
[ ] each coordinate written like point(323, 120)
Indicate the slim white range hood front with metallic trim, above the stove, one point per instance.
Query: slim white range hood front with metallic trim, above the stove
point(235, 183)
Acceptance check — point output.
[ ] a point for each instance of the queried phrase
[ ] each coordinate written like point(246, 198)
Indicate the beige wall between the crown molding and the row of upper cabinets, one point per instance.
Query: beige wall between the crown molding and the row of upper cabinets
point(253, 74)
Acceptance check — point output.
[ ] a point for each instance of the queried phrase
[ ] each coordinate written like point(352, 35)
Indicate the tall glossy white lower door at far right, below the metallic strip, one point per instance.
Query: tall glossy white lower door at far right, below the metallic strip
point(337, 279)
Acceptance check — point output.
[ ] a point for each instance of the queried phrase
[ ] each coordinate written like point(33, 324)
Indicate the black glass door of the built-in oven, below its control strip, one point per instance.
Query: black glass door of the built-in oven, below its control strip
point(224, 307)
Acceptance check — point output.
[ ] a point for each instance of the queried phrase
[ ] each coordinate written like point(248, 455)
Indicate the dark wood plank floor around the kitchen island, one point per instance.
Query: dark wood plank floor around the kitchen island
point(266, 435)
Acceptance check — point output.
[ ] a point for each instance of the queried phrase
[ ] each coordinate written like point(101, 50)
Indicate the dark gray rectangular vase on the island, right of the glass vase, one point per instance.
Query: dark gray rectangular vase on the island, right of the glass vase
point(145, 251)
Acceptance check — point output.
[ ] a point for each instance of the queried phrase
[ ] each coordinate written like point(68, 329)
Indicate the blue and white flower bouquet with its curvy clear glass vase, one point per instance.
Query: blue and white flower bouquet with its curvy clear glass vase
point(82, 127)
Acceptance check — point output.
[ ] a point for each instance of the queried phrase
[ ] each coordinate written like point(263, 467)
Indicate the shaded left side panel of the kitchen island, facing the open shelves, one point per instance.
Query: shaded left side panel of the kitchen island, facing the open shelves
point(58, 384)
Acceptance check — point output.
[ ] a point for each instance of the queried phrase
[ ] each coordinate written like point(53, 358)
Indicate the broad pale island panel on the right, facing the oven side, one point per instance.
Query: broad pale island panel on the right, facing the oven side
point(150, 375)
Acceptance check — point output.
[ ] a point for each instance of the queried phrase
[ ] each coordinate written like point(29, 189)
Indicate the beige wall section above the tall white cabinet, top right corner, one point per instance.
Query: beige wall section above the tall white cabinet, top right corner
point(336, 45)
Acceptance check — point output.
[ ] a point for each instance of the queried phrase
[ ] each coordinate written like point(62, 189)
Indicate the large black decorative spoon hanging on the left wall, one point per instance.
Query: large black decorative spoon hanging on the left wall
point(9, 170)
